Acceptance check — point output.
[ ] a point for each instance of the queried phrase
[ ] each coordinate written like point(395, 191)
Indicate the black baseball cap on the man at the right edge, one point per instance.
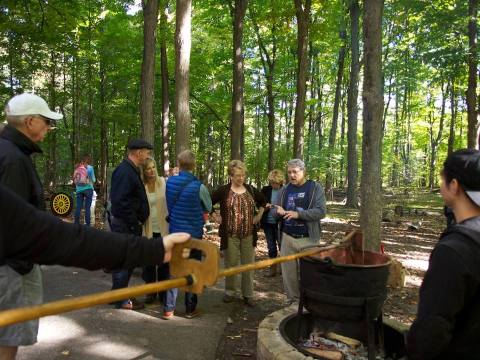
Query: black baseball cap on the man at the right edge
point(464, 165)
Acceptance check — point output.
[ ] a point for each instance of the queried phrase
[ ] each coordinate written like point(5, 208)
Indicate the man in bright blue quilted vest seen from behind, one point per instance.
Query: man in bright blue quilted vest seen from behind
point(187, 200)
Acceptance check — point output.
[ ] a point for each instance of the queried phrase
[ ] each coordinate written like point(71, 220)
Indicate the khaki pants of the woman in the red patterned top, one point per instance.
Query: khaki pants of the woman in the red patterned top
point(240, 251)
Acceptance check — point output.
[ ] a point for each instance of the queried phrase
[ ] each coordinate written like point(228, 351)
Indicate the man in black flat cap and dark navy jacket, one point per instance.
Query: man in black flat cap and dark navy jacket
point(129, 209)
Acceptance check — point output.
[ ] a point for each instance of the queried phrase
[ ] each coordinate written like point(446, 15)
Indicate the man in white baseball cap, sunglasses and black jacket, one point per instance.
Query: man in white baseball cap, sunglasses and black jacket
point(28, 121)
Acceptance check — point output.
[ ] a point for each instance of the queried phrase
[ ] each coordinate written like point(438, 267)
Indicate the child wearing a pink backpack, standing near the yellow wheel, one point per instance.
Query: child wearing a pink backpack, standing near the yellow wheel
point(84, 178)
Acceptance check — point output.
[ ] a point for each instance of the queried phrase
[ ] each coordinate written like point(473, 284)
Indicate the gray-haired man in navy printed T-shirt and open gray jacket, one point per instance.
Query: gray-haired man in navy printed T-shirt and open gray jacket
point(300, 206)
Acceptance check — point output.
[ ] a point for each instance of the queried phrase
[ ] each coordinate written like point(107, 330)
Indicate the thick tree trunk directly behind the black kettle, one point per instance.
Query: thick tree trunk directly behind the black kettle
point(371, 207)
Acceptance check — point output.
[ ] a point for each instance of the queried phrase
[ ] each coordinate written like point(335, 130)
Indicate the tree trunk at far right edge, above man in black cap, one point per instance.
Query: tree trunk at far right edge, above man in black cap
point(472, 75)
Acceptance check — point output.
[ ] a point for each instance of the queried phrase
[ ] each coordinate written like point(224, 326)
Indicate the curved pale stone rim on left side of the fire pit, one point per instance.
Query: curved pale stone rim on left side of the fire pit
point(270, 343)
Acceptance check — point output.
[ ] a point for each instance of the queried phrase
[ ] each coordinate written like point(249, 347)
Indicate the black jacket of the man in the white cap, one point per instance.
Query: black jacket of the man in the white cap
point(18, 174)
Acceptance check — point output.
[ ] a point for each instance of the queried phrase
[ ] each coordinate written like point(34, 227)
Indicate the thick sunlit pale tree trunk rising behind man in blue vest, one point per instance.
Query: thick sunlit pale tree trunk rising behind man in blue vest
point(183, 42)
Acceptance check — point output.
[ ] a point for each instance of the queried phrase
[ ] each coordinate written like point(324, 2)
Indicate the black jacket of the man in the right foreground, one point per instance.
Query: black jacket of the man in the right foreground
point(448, 319)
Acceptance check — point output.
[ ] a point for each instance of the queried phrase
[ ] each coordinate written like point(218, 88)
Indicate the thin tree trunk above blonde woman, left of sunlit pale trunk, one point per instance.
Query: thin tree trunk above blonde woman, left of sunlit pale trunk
point(165, 154)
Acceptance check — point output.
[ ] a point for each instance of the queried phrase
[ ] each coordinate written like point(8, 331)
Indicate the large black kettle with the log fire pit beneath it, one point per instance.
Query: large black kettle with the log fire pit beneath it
point(343, 288)
